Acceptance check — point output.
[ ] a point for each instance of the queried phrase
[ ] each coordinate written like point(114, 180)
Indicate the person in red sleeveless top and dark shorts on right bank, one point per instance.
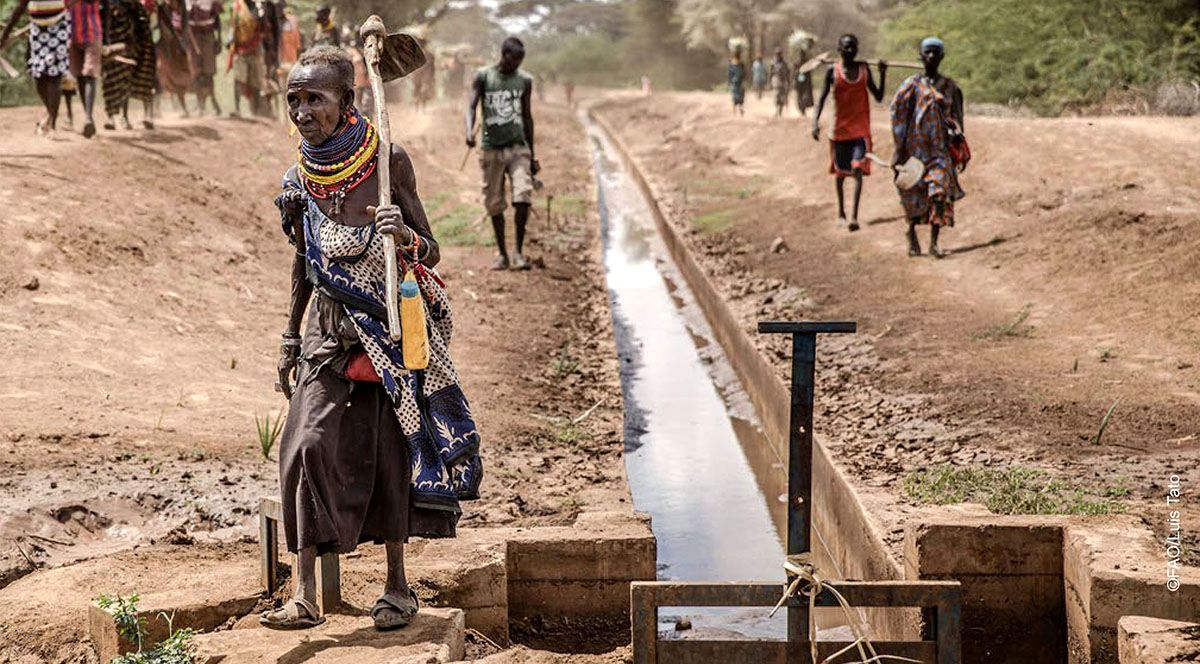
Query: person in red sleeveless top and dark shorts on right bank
point(851, 82)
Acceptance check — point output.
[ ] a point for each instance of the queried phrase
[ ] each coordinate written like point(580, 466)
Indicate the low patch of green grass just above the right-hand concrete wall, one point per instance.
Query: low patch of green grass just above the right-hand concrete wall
point(1010, 490)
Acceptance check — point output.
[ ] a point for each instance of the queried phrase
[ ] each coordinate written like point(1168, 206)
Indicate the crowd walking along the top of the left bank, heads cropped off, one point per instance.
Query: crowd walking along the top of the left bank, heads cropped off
point(140, 50)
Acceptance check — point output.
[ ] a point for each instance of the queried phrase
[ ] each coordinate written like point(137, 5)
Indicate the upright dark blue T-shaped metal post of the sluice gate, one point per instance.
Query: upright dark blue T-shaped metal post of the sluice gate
point(800, 448)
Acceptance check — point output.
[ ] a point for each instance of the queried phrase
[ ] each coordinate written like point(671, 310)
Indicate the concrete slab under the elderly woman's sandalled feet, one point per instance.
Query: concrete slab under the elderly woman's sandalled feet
point(435, 637)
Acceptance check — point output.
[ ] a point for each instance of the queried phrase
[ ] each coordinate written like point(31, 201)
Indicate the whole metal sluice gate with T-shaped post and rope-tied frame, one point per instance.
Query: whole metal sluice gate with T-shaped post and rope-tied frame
point(939, 601)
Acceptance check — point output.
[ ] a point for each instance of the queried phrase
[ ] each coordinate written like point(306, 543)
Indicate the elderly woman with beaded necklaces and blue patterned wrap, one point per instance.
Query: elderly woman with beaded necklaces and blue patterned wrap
point(371, 452)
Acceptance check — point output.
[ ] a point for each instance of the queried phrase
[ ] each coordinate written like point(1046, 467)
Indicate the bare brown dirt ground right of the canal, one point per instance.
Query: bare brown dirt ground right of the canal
point(1070, 288)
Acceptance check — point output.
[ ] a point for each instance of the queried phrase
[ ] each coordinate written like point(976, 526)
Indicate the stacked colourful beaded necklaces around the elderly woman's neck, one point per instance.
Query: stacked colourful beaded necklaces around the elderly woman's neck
point(334, 169)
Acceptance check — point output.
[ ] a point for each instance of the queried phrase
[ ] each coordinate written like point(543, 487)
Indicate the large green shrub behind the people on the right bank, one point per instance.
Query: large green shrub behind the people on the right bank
point(1053, 56)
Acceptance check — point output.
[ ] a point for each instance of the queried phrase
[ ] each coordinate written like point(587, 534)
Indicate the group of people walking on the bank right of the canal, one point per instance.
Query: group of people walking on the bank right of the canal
point(927, 131)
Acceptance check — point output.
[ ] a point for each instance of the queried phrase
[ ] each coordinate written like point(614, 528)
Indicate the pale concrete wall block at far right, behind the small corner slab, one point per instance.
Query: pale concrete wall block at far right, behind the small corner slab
point(1114, 569)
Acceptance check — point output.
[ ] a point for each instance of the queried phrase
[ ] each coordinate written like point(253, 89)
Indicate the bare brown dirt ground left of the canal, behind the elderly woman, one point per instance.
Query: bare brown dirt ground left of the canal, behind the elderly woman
point(145, 289)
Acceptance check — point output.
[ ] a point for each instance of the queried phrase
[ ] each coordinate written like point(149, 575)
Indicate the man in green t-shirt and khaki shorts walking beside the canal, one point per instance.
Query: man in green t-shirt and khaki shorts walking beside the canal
point(505, 93)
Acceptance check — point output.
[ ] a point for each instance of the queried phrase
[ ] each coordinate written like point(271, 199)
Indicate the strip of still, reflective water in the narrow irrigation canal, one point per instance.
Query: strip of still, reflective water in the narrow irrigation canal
point(695, 459)
